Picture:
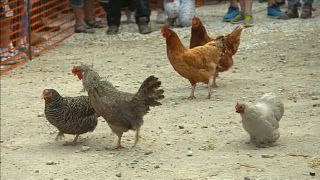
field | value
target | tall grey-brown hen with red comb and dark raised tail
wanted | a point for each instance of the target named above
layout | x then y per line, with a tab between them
123	111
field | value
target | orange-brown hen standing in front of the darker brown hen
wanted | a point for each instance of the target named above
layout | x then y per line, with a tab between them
197	64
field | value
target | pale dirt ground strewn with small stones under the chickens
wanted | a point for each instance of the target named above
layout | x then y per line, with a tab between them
182	139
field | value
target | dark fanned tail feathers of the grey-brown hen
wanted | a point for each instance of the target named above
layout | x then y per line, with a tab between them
149	91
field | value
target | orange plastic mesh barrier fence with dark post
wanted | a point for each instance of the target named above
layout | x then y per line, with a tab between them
29	28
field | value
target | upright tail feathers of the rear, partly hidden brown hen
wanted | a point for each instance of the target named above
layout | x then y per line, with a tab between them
232	40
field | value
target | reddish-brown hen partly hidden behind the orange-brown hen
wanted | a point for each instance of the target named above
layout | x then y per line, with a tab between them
230	43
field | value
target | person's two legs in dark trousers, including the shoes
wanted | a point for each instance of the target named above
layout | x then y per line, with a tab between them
113	9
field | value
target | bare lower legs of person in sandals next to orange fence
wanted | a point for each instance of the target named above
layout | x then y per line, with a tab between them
84	16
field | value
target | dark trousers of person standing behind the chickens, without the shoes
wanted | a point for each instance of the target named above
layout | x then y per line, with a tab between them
113	9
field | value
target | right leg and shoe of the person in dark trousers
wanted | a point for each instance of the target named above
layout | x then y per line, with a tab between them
143	13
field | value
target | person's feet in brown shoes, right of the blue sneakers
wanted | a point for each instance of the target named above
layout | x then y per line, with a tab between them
306	9
